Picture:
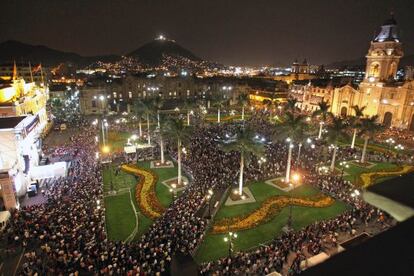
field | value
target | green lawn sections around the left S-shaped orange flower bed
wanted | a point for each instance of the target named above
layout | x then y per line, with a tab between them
120	218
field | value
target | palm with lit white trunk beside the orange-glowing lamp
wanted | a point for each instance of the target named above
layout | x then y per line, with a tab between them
291	130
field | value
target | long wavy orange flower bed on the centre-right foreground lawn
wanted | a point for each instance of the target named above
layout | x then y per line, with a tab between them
268	209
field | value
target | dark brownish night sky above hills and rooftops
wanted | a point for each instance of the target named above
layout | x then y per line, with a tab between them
243	32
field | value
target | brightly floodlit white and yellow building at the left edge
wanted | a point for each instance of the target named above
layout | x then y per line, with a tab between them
23	117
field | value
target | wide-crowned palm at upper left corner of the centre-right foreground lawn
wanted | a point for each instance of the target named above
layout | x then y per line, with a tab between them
245	143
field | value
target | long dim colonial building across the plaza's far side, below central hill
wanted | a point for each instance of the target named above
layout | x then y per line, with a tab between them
119	96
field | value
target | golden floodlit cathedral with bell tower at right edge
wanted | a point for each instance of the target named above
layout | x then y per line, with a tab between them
380	92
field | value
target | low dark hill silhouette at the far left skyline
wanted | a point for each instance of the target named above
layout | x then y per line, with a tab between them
12	50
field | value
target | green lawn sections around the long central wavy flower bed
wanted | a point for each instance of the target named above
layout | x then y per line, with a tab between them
214	246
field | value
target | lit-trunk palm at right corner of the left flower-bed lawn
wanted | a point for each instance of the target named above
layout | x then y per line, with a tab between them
176	129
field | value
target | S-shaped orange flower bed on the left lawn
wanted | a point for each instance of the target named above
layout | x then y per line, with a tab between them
145	191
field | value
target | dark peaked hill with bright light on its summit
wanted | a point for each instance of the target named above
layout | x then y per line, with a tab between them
155	52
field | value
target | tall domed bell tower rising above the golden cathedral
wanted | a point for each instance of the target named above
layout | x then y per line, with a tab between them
384	54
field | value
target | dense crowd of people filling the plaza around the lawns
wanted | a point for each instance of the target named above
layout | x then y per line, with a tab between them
66	235
